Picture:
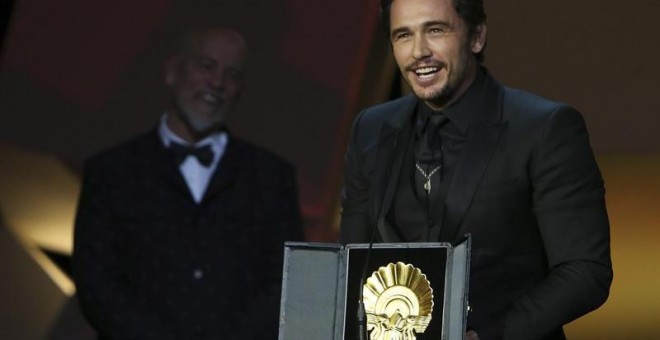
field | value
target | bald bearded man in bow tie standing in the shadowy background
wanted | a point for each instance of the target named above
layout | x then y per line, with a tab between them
180	231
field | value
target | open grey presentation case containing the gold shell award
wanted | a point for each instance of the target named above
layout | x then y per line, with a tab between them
410	291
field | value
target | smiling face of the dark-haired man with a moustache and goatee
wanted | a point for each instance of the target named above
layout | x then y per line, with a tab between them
432	47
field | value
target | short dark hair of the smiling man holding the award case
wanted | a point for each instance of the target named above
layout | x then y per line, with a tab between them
471	11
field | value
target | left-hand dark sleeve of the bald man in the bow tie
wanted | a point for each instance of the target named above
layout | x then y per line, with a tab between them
104	297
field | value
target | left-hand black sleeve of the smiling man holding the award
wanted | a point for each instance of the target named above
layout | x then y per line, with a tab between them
354	225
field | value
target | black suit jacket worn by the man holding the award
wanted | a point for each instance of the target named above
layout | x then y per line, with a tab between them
528	190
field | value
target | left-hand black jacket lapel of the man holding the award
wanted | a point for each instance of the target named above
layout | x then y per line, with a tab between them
393	142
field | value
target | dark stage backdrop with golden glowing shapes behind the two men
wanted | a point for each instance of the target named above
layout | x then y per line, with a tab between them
78	76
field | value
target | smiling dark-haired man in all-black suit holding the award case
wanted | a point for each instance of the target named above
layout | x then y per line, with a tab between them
467	155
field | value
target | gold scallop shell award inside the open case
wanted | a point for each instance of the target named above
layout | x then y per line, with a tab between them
398	301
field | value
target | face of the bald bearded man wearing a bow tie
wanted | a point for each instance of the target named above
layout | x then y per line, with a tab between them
206	80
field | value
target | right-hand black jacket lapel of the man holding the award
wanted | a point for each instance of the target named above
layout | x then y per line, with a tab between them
482	139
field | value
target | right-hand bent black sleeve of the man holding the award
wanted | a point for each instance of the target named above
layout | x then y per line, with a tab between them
569	205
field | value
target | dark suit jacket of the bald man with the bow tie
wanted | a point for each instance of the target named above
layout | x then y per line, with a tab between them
150	263
